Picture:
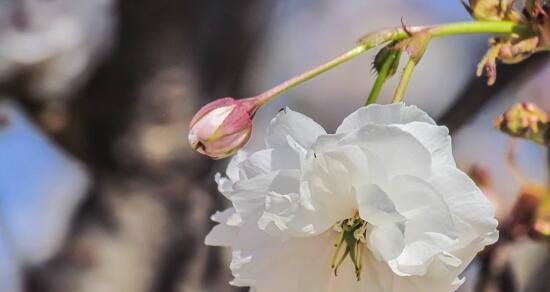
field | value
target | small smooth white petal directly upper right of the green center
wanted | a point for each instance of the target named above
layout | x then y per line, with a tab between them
375	206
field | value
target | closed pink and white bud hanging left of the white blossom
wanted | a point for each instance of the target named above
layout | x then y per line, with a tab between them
223	126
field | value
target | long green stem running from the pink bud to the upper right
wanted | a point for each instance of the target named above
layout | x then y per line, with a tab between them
395	34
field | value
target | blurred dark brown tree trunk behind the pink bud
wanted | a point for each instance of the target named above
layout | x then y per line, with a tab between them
143	227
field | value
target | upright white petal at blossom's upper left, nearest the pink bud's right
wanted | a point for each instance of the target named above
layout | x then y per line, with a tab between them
303	130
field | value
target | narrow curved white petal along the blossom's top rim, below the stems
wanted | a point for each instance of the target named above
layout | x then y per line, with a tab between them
383	115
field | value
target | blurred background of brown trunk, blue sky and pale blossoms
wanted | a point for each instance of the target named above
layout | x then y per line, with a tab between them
99	190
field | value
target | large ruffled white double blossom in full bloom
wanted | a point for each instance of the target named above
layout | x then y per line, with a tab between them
378	206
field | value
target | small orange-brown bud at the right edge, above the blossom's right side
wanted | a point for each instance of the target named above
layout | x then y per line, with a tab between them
525	120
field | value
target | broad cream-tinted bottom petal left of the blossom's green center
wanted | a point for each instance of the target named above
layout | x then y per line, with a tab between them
270	265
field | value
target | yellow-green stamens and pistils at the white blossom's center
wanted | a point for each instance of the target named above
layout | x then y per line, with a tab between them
352	236
